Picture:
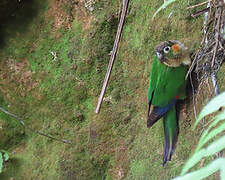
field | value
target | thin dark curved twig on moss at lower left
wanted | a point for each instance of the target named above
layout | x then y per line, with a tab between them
32	130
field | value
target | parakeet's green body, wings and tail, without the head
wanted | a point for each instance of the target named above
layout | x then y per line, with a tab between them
167	84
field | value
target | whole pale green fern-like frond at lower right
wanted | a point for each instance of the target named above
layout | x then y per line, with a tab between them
213	134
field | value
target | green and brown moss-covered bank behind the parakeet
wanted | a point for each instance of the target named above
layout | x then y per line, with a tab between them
58	94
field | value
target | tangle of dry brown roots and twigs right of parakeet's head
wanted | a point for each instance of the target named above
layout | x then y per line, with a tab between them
209	58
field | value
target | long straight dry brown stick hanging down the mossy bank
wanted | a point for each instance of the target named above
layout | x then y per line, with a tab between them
113	55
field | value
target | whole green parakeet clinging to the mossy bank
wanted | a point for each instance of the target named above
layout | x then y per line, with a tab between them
167	85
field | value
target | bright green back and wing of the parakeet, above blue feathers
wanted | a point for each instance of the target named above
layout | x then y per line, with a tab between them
165	83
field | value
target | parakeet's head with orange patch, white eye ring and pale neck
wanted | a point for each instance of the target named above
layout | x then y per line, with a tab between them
172	53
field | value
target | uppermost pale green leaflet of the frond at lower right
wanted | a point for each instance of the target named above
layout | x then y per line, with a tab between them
212	106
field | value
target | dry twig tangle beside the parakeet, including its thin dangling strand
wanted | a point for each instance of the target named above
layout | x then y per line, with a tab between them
210	53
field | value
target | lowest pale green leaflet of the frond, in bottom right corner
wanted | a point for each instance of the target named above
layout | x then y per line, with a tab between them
204	172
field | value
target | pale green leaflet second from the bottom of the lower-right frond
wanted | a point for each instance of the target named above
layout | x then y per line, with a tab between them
213	148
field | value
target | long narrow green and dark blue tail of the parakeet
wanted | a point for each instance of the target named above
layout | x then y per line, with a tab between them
171	131
